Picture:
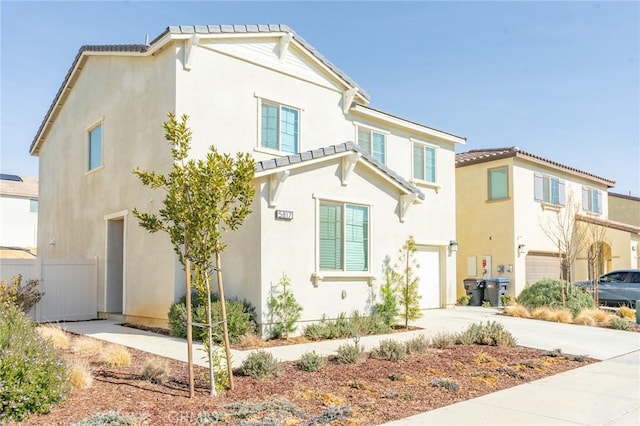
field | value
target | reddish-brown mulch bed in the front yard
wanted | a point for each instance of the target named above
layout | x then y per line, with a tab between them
368	393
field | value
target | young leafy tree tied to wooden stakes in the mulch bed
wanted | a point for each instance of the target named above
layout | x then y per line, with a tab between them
205	198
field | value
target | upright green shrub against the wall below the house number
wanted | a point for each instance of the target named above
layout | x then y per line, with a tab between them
284	309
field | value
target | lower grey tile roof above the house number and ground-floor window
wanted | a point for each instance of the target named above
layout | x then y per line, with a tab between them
275	163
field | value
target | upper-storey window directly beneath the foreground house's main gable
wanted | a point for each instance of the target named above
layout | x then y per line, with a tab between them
280	127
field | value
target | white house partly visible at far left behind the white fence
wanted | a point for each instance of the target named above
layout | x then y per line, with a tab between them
18	216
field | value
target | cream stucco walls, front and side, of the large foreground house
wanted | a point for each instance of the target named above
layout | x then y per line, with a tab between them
221	93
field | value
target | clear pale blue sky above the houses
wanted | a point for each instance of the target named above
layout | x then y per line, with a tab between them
558	79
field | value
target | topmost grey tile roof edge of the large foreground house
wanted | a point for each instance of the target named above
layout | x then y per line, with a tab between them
188	29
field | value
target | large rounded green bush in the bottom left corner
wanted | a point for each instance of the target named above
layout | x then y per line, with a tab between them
33	376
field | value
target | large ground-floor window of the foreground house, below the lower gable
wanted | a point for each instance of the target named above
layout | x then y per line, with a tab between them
344	237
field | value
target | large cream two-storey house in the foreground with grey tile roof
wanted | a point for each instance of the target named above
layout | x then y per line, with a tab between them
340	186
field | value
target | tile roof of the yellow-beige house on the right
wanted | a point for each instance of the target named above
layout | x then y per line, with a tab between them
476	156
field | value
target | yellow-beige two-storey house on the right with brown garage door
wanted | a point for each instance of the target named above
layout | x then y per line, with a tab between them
506	198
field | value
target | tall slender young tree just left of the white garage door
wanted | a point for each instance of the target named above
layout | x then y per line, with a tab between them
408	282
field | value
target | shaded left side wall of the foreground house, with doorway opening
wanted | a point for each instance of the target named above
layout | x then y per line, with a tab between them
130	96
